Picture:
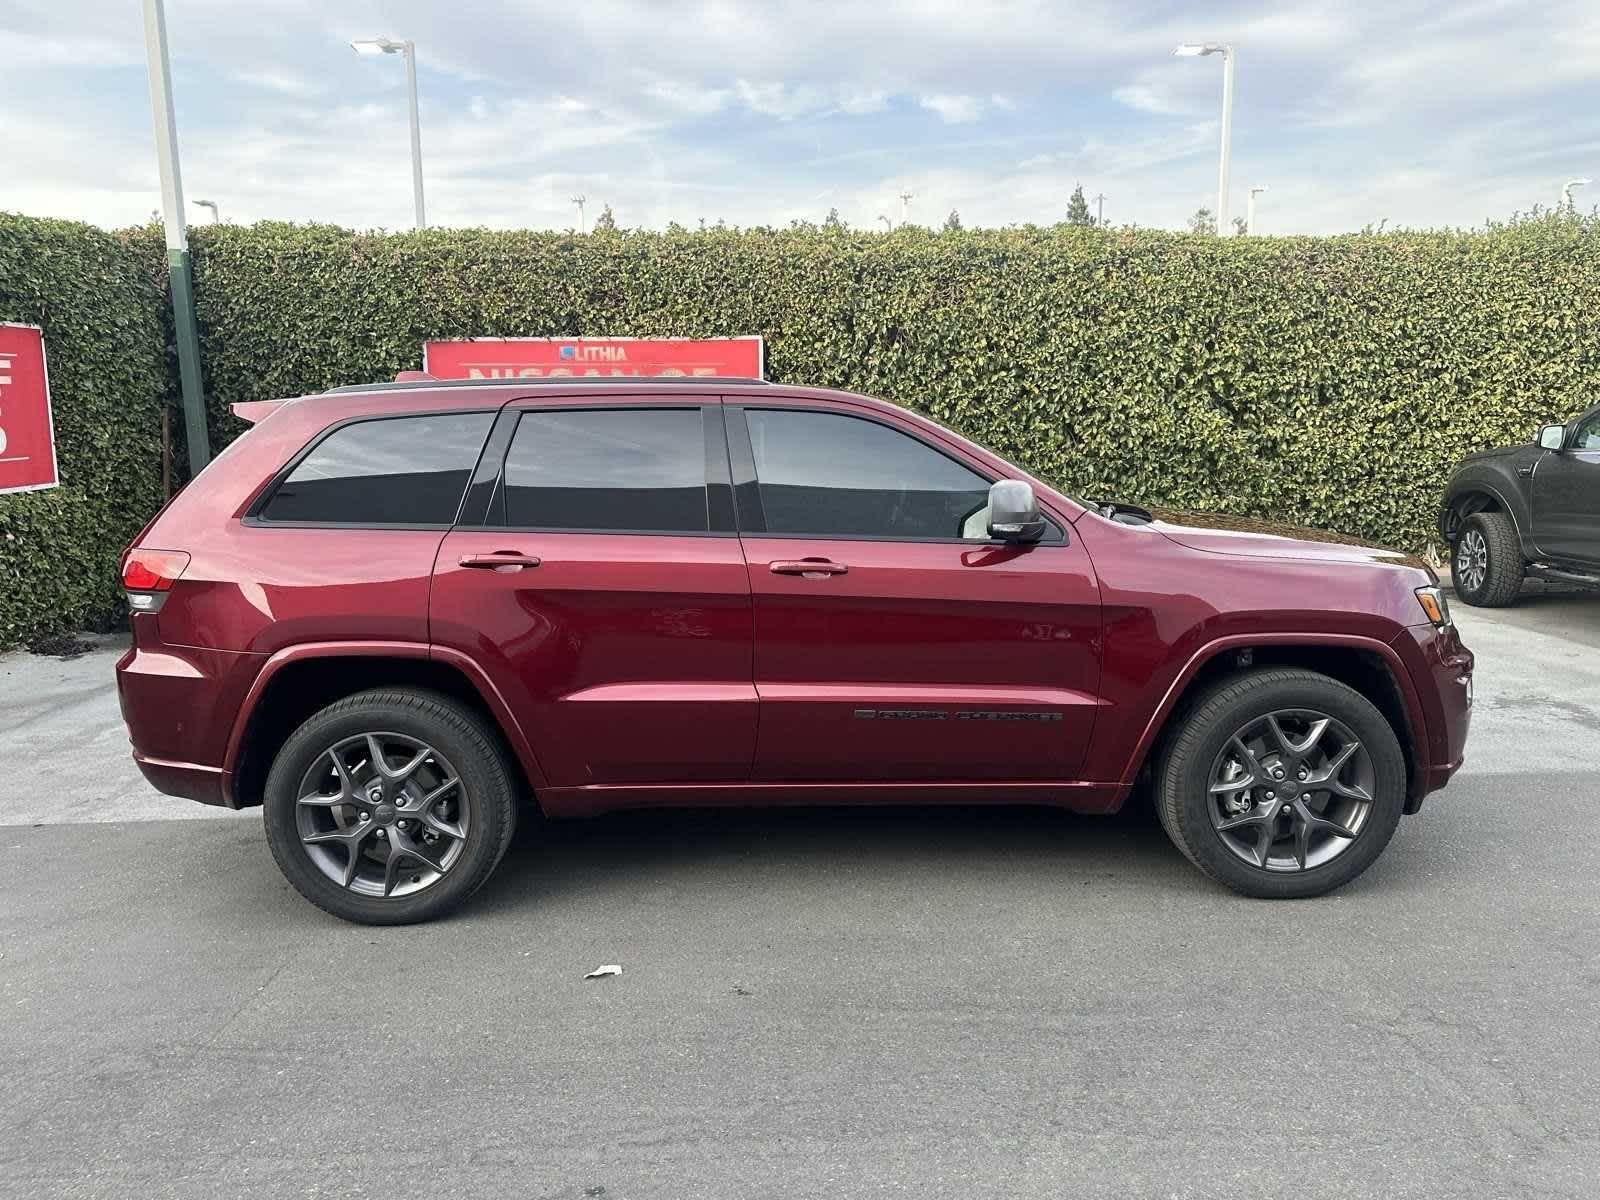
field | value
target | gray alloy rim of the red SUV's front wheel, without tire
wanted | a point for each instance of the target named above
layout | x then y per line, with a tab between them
1290	791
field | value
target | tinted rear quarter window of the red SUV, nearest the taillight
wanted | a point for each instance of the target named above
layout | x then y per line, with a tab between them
388	471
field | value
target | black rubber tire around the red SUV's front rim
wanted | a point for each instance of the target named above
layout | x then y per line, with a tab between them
1209	724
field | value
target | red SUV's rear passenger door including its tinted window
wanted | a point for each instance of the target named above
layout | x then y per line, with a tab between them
602	586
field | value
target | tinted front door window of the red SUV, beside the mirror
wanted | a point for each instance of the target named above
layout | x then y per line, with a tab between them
839	476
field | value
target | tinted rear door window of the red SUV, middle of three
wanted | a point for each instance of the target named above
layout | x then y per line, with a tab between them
609	470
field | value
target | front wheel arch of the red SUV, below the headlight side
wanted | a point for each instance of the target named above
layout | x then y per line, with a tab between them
1366	665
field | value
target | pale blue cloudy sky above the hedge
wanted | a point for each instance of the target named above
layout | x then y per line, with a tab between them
1422	113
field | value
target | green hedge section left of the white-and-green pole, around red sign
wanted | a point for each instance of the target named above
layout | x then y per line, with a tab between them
100	300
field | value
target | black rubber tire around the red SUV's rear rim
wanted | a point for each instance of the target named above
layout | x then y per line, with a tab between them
462	737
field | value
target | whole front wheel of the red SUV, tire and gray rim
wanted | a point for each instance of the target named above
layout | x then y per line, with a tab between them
1282	783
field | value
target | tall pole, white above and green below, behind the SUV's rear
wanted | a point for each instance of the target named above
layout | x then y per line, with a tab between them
186	330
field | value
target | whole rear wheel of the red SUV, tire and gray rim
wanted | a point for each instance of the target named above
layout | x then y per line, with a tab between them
390	807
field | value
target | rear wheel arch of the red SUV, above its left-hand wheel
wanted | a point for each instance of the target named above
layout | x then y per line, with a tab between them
300	681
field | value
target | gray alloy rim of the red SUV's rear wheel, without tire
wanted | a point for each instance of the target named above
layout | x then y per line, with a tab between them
383	815
